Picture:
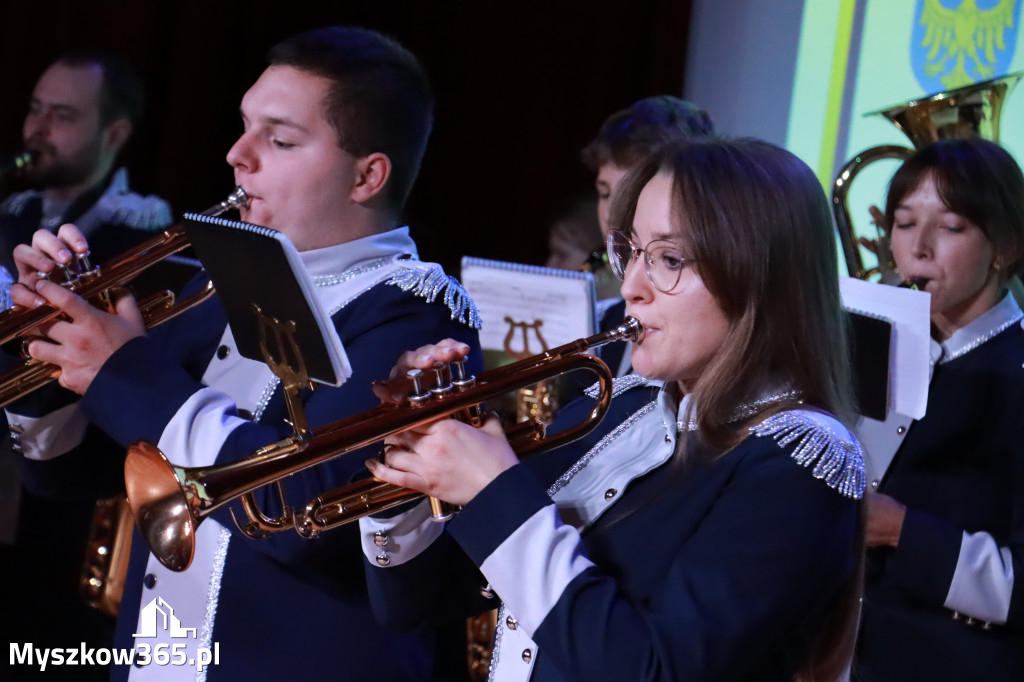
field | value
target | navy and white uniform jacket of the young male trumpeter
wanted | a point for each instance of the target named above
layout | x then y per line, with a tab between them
186	388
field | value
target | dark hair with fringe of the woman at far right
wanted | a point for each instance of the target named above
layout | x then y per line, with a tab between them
976	180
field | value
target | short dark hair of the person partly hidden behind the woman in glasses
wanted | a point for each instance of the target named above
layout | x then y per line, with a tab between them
631	135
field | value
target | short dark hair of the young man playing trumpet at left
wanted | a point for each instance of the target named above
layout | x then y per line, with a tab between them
380	101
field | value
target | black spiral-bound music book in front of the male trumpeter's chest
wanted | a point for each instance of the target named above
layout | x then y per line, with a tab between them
254	266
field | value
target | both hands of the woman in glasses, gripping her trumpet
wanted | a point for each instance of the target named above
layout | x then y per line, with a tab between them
448	460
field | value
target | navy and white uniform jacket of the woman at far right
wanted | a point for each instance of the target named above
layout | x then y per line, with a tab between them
948	604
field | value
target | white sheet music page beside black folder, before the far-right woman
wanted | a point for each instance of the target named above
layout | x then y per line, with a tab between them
909	312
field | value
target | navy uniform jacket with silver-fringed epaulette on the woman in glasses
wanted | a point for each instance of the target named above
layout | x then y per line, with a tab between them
611	564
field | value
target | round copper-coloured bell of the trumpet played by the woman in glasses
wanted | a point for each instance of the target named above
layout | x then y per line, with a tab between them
156	493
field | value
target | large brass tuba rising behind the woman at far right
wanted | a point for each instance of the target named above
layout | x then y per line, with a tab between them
972	111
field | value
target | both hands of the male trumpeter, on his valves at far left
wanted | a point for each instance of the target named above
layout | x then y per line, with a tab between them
82	342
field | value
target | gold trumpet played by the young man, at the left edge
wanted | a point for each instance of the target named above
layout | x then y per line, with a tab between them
95	285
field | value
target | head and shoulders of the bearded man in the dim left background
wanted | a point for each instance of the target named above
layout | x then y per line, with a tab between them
82	113
